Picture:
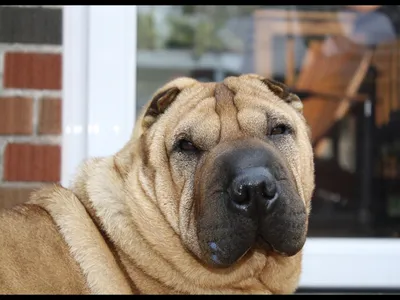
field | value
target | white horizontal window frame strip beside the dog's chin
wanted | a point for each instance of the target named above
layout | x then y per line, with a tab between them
351	263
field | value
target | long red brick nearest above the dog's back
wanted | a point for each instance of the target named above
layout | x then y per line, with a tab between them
28	162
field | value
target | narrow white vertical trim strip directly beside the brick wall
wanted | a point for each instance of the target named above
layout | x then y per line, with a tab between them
74	93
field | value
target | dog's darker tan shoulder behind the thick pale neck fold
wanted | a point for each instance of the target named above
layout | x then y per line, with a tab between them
34	253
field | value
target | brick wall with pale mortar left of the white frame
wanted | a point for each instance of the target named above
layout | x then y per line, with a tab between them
30	100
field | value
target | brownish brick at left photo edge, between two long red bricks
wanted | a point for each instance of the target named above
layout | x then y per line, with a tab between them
15	115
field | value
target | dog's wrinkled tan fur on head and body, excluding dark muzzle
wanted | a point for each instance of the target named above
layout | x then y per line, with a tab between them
124	225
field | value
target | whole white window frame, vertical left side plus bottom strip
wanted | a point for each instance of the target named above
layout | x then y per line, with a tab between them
99	100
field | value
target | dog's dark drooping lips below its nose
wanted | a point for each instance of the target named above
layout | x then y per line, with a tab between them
225	246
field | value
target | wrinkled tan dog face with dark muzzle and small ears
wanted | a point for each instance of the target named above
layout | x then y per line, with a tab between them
241	165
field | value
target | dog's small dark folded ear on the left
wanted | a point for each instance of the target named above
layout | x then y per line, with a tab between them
160	102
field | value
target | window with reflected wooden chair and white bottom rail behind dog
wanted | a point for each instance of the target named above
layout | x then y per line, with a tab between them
343	62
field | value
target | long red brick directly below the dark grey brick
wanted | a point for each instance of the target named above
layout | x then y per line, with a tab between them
32	71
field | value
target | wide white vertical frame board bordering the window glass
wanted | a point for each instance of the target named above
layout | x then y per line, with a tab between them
112	78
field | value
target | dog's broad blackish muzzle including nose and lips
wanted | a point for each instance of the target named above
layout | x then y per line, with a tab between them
251	200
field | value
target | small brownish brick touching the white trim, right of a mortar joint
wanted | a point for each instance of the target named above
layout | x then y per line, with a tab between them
49	116
